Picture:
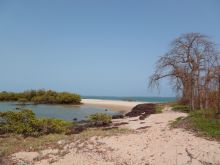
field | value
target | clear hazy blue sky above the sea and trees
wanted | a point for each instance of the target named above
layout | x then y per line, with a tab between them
95	47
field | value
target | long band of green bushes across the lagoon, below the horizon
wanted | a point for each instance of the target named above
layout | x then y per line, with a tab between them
41	97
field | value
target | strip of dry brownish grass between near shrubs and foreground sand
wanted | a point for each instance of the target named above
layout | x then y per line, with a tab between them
10	143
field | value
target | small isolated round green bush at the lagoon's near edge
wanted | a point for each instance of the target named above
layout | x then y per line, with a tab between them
102	117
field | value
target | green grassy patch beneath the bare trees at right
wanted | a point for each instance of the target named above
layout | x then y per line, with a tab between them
204	122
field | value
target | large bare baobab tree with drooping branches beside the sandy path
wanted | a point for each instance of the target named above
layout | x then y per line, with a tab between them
189	64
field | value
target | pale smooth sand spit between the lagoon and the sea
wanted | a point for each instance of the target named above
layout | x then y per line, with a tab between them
114	105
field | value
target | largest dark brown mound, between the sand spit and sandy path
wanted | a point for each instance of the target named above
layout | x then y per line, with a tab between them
142	110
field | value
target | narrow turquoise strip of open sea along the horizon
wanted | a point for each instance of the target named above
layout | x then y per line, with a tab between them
142	99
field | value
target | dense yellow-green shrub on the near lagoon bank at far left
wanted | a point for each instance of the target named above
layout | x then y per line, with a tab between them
26	123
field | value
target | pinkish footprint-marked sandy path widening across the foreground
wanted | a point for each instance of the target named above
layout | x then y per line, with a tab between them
157	144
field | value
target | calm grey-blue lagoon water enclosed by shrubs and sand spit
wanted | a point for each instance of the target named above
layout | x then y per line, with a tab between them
57	111
